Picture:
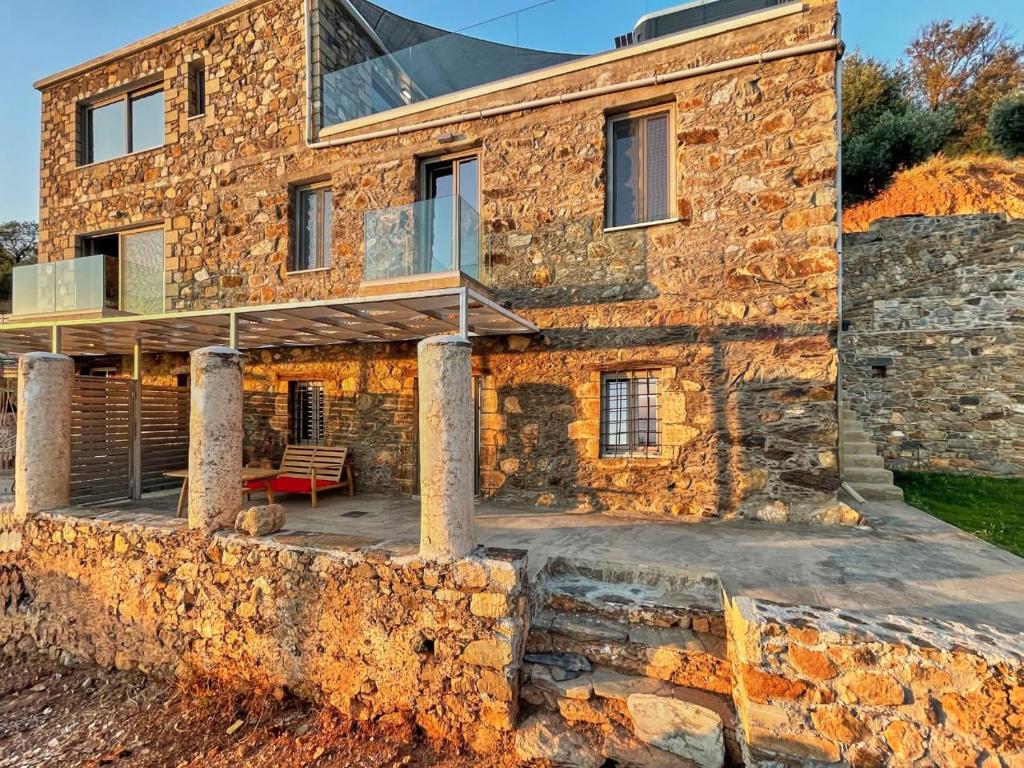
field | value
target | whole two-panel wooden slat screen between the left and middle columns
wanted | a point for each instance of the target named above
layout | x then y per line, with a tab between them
124	437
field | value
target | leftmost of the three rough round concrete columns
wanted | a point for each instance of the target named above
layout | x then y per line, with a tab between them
42	463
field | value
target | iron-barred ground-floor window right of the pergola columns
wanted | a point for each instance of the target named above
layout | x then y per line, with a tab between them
631	422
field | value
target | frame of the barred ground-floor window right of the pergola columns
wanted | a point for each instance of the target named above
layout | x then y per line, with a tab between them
635	448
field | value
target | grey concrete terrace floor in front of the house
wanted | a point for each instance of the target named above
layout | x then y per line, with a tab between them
907	564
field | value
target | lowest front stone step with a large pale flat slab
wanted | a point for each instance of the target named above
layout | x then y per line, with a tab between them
645	722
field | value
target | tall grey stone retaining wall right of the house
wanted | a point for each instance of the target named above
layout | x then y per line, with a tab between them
932	359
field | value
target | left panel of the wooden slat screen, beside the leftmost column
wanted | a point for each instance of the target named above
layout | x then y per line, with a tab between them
101	439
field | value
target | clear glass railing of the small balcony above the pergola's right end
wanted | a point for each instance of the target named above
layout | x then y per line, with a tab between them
425	238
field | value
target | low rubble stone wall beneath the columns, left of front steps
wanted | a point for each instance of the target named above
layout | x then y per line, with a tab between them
369	631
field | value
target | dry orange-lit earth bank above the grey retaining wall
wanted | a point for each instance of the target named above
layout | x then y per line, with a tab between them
943	186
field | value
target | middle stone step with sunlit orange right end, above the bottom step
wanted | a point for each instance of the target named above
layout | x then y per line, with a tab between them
675	655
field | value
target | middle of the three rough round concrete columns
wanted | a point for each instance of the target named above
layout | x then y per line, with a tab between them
216	439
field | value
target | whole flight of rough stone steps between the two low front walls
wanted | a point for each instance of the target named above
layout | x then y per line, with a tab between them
632	666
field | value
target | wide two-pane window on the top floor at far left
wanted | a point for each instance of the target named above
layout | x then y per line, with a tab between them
131	122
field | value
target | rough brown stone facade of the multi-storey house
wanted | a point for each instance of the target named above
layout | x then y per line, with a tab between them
734	303
